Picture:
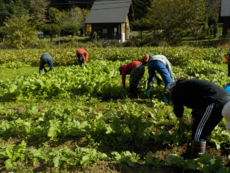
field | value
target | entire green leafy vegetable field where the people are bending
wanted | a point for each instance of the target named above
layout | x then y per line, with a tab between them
75	119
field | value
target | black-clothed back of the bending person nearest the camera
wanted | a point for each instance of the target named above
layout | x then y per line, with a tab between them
196	94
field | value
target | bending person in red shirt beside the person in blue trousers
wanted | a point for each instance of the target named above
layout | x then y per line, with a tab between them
136	70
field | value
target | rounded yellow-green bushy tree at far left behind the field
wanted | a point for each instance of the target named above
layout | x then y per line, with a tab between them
19	32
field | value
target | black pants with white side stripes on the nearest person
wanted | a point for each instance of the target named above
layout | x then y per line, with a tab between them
206	121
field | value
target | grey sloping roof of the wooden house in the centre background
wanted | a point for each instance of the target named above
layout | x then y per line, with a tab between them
113	11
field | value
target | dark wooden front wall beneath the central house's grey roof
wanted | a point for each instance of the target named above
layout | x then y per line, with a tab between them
107	31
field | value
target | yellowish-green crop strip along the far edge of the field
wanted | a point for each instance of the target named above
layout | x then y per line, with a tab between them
68	56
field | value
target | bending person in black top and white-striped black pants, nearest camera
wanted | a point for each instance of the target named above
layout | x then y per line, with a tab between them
209	104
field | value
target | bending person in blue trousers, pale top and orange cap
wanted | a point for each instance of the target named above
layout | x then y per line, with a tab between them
160	64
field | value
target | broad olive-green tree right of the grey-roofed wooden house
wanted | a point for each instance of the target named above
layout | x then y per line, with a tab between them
174	17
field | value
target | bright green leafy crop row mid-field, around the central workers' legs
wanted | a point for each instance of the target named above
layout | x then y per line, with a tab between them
100	79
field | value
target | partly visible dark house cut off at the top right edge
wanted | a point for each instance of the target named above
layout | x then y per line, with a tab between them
225	16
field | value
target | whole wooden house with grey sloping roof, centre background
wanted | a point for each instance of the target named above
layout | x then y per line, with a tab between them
111	19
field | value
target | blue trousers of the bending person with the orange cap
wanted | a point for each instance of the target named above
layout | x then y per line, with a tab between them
154	66
